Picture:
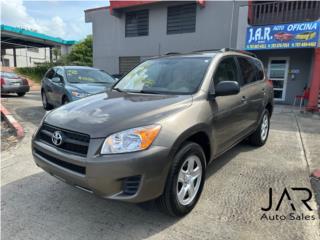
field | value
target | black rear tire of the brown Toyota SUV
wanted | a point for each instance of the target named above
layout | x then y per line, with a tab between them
257	138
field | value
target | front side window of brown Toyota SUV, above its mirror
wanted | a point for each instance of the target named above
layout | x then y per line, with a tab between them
226	71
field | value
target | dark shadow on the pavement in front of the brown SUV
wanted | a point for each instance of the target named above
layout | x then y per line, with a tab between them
45	205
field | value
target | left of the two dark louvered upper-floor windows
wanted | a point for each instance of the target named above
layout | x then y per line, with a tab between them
137	23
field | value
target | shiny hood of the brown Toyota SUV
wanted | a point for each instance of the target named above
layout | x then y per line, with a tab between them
105	113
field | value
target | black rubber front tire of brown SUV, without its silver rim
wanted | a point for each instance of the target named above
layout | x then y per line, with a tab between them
169	201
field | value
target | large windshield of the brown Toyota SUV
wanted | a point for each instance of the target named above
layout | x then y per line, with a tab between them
181	75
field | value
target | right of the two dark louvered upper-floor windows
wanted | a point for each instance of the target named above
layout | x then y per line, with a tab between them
181	19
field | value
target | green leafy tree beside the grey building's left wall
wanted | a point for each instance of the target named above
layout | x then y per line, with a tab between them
81	53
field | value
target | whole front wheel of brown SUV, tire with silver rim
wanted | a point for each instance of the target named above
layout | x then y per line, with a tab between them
185	180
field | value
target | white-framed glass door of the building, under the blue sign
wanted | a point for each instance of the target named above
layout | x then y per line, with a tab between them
278	74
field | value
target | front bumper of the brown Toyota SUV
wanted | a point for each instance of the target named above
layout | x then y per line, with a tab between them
105	175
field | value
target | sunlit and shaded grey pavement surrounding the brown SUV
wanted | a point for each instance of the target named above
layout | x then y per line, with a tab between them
35	205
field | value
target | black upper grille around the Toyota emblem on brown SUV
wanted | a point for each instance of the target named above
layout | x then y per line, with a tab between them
77	143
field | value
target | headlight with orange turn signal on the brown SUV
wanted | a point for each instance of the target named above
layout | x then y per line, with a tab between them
132	140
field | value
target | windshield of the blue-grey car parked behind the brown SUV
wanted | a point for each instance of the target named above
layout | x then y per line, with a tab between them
88	76
